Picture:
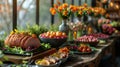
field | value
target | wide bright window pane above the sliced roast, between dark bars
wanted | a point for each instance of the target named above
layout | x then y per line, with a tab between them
26	13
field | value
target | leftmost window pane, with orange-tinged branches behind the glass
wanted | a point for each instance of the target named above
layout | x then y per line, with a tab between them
5	16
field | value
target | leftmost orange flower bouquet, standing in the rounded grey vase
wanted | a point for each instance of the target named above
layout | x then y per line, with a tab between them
64	10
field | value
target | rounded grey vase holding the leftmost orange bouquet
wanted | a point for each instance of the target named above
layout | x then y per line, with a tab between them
64	27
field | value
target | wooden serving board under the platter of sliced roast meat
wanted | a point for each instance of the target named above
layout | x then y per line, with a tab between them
19	59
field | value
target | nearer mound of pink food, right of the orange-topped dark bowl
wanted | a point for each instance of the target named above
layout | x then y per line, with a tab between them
87	39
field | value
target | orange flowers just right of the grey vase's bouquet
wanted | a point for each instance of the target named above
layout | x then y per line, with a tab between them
85	10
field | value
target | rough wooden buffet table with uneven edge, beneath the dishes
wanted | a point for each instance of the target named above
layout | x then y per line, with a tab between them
87	60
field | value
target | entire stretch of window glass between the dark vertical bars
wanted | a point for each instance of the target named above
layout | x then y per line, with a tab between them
26	13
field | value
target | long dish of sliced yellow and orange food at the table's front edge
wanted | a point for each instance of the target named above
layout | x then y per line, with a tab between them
54	59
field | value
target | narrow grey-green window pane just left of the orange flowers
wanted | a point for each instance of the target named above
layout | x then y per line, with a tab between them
44	12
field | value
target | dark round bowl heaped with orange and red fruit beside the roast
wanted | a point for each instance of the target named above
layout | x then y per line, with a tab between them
55	39
